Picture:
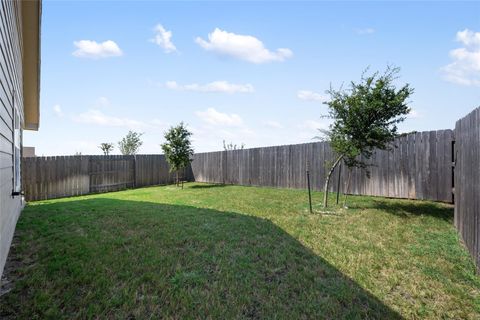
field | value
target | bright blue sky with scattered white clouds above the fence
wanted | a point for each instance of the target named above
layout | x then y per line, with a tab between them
252	72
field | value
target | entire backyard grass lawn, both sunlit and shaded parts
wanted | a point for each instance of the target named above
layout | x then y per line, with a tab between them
227	252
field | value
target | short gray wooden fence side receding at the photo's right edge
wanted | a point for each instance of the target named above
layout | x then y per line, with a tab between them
467	181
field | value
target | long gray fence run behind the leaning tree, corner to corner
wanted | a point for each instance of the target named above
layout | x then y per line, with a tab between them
419	166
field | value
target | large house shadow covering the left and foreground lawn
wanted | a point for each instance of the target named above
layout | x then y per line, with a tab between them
111	258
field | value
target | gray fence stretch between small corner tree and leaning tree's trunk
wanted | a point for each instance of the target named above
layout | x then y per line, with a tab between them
280	166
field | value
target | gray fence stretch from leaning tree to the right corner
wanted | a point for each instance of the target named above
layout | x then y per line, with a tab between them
419	166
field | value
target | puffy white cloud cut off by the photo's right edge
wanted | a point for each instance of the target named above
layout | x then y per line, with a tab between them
465	68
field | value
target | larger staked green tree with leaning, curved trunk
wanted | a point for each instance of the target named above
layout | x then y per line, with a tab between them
365	117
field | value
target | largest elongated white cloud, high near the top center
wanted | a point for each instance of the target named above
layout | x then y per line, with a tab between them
243	47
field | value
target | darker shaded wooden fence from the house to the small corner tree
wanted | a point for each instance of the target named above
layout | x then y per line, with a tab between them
64	176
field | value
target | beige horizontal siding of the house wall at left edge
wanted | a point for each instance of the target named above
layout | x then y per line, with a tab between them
10	83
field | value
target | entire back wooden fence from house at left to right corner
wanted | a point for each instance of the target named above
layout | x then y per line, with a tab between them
419	166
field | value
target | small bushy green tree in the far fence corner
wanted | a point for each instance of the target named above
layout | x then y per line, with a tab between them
177	148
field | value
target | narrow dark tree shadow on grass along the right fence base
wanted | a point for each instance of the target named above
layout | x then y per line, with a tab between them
405	209
